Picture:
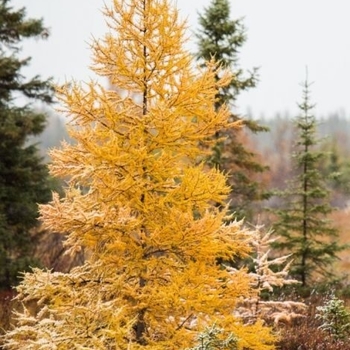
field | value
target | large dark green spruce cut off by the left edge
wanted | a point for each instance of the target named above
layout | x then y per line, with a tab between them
23	176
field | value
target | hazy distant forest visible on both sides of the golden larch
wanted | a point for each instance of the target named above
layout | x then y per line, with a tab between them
273	147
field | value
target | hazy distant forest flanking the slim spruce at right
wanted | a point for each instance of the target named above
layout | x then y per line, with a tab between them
276	148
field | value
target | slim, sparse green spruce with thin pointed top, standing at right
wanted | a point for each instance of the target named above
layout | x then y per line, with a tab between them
302	223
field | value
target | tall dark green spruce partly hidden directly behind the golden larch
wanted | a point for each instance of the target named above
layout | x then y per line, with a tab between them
222	38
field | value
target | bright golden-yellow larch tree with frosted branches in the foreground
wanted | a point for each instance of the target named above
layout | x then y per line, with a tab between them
148	219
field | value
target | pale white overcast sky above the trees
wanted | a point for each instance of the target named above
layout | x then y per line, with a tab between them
284	36
